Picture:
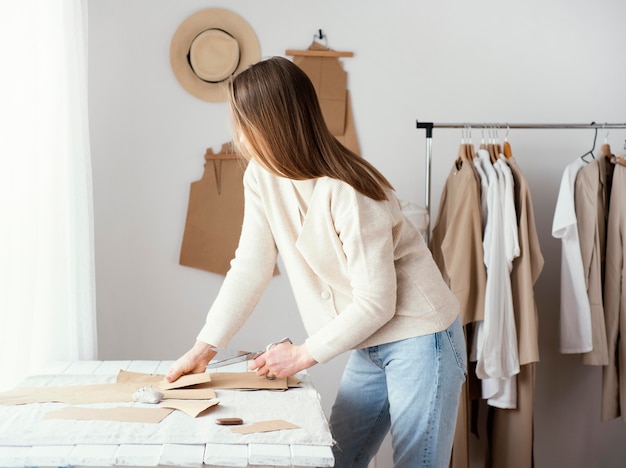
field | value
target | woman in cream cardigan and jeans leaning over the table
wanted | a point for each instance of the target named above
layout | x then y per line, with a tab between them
361	274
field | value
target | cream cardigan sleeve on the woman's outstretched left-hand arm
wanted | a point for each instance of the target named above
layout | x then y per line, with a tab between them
249	274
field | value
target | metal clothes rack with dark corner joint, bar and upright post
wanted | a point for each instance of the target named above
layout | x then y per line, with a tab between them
429	126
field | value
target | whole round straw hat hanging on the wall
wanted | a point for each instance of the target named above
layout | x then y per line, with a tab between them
208	48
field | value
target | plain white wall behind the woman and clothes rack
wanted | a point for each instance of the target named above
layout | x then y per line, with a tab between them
447	61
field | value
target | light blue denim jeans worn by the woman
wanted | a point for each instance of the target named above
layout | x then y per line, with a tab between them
411	386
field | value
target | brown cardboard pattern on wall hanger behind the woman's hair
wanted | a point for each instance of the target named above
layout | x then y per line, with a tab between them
330	81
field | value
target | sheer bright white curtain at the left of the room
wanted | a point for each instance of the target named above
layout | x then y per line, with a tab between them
47	280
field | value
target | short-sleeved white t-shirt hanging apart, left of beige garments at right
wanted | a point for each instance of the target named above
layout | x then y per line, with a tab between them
575	311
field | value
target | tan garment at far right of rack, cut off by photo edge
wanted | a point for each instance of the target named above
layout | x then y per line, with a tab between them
614	374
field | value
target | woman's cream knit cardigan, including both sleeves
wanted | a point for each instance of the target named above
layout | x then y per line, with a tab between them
360	272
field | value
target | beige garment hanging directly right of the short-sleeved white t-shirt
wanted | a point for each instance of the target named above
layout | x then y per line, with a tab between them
591	203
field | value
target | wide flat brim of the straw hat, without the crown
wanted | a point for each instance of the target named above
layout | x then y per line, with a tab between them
211	18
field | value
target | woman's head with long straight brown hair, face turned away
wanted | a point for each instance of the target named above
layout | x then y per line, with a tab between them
278	122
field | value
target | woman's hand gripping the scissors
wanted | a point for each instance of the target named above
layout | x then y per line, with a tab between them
282	360
